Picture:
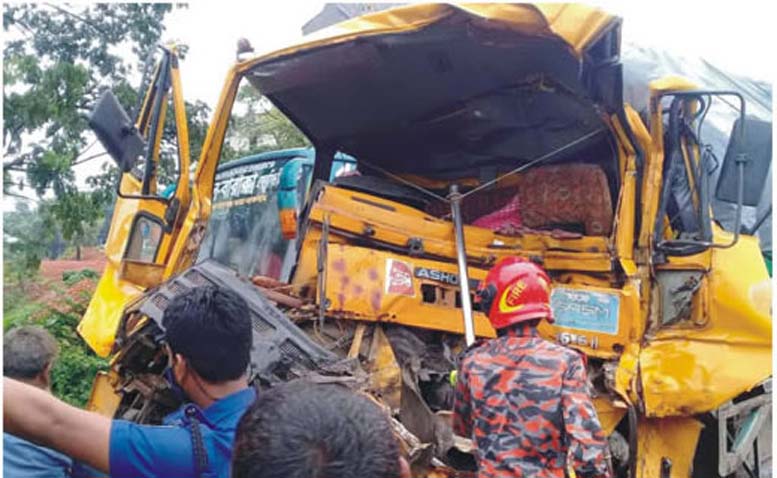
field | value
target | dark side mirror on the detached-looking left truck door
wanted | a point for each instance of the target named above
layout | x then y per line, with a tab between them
116	131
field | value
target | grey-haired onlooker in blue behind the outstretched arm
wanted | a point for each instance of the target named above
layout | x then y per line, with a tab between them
28	355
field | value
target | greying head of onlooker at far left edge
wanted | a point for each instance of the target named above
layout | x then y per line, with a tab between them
28	355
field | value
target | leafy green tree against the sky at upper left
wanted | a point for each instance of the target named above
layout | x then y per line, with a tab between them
57	62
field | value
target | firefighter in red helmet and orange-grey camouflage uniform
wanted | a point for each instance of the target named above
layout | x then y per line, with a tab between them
524	400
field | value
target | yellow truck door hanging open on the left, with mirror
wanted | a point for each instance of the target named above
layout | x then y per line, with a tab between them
147	217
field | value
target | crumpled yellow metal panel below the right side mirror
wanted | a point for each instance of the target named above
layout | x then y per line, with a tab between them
693	369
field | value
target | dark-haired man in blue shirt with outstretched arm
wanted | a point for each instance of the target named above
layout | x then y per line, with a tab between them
208	331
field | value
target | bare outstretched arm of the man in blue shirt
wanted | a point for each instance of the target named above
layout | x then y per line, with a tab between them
37	416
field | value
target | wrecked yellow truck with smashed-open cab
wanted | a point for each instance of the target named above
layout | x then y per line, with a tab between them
455	113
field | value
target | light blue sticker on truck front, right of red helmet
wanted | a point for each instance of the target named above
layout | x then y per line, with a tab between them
585	310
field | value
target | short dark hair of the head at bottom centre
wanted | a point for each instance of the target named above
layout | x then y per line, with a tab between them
304	430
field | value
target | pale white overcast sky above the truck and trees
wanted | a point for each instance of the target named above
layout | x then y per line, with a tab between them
734	36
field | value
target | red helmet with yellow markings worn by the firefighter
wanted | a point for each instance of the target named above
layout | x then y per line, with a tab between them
515	290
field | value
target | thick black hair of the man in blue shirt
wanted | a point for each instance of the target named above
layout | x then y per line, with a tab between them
211	327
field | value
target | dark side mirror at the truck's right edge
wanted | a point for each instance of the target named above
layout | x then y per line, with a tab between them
755	148
